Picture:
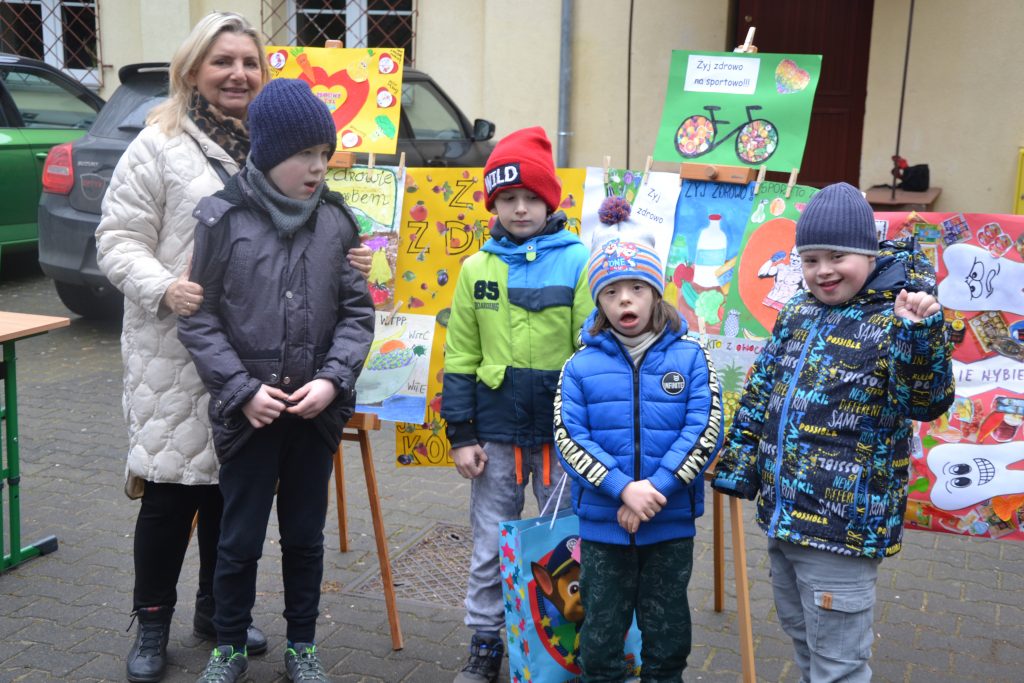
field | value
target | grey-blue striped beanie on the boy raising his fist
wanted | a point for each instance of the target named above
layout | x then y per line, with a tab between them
838	218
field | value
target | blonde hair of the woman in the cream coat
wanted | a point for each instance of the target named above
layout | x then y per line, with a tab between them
170	114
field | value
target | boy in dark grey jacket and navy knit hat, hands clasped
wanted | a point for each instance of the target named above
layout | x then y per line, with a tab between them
279	341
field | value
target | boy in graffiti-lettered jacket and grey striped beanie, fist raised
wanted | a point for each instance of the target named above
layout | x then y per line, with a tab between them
823	435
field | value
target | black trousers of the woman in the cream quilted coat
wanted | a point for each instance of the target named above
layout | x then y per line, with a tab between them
162	538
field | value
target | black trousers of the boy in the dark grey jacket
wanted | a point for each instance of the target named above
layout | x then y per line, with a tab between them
291	455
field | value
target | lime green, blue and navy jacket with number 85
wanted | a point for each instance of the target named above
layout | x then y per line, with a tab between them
516	319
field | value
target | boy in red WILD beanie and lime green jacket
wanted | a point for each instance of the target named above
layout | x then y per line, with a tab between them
517	315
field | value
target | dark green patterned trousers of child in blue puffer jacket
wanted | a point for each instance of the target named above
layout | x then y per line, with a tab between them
652	580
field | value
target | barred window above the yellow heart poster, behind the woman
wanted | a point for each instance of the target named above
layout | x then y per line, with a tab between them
356	23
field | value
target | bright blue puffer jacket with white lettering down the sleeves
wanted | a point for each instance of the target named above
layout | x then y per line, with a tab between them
617	423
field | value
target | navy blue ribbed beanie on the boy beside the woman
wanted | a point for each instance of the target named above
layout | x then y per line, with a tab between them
286	118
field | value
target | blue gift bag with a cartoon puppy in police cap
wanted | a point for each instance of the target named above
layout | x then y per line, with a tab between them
540	561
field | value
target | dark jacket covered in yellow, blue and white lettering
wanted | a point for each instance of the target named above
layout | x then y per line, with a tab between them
824	431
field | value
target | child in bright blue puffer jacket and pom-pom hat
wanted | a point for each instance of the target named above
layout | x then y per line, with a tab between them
638	418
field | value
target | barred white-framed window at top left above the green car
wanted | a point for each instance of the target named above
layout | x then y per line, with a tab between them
61	33
